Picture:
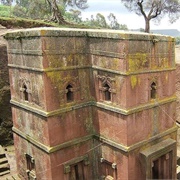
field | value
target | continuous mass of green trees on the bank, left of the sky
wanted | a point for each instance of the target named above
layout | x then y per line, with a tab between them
56	10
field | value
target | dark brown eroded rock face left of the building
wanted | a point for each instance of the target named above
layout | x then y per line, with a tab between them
5	109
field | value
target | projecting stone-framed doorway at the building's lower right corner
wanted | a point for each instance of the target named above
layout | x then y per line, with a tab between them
159	161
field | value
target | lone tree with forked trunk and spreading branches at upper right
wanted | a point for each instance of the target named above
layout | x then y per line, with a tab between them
154	9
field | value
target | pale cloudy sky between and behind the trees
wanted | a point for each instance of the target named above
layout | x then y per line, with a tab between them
124	16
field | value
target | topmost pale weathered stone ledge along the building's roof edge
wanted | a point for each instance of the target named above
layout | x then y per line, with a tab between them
73	32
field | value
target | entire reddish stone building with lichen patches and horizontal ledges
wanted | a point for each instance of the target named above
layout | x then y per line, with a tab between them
92	104
